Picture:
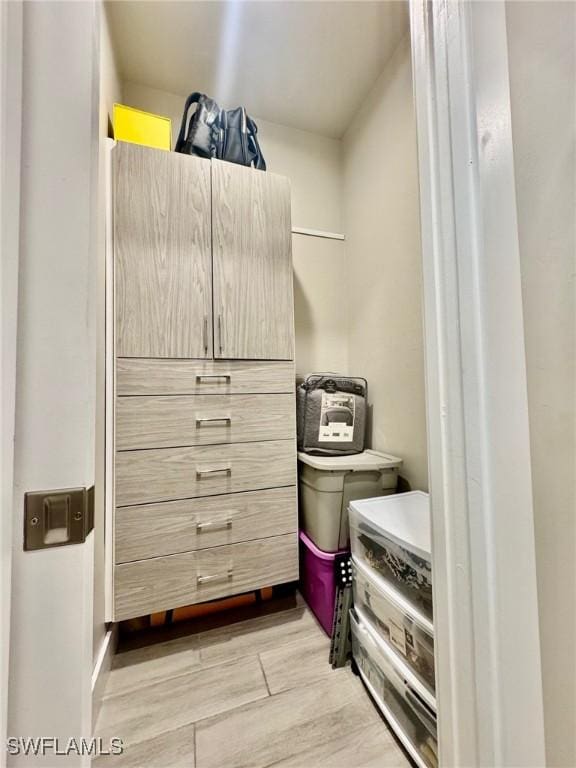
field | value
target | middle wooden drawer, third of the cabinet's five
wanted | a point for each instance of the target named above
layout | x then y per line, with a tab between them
166	474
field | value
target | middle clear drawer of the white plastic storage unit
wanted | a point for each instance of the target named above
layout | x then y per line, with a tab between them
406	630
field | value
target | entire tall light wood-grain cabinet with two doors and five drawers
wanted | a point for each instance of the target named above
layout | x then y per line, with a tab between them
205	456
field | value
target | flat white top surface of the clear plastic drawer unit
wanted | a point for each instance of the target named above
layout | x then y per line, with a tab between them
402	517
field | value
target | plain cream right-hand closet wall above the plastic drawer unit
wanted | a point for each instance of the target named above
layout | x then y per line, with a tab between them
383	288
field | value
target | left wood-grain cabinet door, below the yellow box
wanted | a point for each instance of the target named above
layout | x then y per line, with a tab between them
163	262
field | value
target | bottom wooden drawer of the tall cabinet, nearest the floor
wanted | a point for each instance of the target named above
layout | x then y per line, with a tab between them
146	586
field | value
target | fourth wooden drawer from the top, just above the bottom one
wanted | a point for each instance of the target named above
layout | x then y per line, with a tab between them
151	530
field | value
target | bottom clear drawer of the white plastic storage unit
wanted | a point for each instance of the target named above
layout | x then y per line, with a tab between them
406	704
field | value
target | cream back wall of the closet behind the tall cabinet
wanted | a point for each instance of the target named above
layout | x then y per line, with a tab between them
313	165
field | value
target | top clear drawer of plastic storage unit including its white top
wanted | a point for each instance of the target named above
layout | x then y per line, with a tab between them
391	535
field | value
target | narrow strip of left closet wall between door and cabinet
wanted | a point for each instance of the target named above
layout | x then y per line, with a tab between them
110	92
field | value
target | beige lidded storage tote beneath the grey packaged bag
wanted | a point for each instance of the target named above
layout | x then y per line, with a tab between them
328	484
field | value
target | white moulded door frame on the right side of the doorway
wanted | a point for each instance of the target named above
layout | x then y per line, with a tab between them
486	613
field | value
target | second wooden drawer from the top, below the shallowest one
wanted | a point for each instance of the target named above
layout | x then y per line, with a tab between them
171	421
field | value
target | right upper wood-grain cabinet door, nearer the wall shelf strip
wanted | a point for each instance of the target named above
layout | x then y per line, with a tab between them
252	259
